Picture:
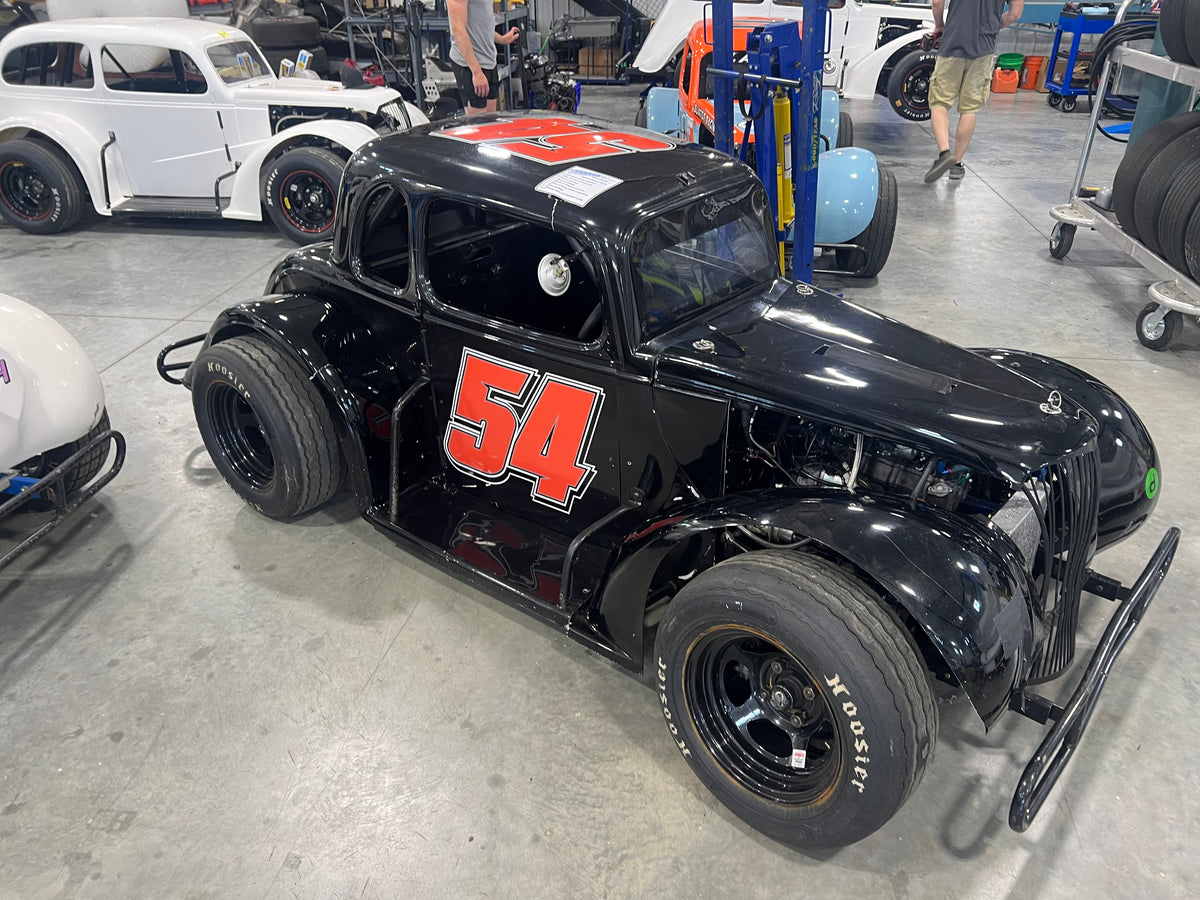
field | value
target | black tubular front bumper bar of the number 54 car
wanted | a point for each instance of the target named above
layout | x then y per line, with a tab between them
1070	722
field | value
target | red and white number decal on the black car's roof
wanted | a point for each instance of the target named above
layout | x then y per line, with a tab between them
555	142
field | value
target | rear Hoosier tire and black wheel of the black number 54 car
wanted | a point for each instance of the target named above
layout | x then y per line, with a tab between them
266	427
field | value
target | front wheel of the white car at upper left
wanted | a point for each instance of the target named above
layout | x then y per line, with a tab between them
301	193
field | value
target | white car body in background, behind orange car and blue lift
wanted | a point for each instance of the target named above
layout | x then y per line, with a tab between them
853	64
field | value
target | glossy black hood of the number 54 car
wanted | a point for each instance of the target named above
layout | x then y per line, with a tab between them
808	352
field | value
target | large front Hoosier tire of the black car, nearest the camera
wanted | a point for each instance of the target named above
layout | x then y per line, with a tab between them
775	653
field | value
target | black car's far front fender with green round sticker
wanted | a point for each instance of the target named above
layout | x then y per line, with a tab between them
1130	467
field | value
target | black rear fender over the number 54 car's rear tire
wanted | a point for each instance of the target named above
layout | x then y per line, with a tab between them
295	323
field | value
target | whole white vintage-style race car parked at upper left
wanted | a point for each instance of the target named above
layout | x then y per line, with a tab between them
173	118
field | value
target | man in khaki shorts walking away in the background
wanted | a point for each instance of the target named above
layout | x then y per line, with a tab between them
965	40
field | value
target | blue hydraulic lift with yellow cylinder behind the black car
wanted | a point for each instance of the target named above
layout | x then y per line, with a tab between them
781	62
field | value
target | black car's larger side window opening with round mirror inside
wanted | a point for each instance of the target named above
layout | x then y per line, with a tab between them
488	263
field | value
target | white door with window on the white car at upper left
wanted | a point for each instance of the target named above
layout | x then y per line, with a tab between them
166	121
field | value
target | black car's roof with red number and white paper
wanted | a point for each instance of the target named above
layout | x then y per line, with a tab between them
489	158
